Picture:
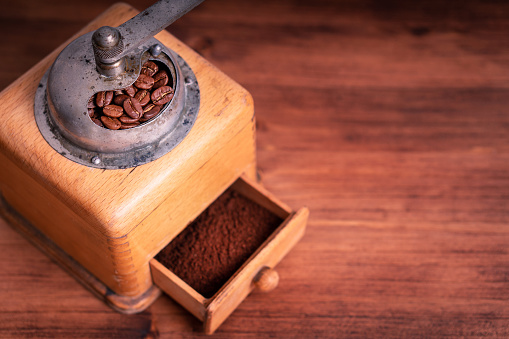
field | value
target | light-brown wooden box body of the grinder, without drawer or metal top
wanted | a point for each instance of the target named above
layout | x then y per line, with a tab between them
112	222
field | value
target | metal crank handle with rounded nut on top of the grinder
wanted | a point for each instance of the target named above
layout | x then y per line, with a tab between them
112	44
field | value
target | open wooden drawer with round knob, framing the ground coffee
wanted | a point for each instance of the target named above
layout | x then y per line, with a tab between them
255	272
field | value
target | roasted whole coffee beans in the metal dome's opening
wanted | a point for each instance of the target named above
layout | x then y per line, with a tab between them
136	104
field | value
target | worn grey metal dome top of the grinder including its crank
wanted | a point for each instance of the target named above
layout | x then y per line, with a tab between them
61	99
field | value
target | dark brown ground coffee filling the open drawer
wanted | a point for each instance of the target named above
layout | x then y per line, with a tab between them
215	245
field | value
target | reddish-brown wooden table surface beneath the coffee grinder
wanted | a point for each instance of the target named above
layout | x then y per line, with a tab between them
388	119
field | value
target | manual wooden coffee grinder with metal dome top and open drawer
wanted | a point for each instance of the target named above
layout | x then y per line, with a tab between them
103	202
